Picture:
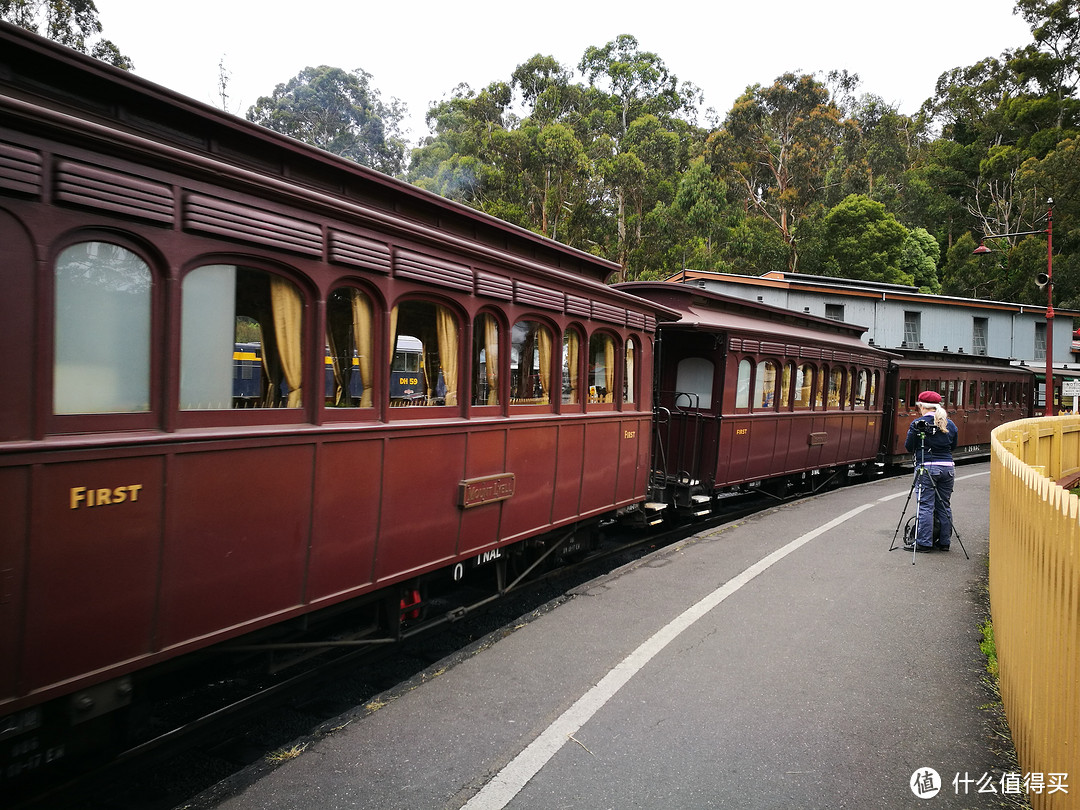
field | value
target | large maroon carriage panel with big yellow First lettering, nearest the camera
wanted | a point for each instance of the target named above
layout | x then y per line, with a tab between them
94	560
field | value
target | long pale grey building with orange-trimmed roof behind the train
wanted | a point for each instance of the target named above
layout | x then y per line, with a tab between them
900	317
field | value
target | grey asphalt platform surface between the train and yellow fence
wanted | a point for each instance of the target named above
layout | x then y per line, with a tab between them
789	660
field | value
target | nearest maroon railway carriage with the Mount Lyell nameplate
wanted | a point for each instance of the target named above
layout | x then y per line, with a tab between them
145	515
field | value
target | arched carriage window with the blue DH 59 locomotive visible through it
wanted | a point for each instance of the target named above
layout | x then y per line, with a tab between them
424	369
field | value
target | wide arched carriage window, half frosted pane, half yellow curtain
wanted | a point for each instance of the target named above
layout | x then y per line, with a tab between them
221	305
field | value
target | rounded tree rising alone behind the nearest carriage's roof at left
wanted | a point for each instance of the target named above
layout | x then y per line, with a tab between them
340	112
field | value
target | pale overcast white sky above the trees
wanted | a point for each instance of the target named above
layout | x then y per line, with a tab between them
418	51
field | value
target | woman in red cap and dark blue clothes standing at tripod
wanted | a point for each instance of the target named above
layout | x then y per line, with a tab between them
931	439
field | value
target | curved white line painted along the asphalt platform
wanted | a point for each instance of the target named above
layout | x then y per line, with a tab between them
508	784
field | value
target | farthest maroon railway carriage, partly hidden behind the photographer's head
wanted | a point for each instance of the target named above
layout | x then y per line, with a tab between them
979	393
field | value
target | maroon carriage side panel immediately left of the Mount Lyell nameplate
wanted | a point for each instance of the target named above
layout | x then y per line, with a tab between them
420	517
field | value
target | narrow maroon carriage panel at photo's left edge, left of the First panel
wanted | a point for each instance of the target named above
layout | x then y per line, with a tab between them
15	519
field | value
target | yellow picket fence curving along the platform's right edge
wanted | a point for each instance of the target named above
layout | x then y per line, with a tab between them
1035	599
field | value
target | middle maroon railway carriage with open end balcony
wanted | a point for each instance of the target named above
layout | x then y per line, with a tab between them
757	394
